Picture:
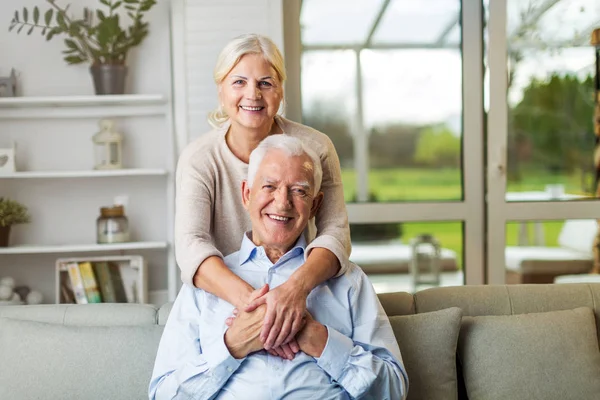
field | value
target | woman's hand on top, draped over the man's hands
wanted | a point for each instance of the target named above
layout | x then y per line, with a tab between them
286	305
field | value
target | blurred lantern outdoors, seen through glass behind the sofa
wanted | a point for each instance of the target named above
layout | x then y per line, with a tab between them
426	257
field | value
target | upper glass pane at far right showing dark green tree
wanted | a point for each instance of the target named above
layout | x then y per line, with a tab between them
550	99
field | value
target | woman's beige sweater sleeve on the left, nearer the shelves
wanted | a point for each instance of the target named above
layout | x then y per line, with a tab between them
193	217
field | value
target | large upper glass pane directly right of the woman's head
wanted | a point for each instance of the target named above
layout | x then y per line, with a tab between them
384	80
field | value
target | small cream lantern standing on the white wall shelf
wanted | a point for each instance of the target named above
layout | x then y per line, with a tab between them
107	146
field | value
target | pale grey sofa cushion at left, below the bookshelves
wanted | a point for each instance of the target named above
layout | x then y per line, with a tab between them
48	360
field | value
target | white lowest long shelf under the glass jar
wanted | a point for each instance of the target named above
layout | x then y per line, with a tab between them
82	248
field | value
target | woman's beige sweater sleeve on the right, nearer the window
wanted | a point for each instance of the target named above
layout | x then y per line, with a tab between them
333	232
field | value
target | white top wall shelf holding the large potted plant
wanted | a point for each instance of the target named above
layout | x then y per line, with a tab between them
104	106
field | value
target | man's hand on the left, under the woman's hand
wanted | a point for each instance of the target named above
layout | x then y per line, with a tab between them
242	338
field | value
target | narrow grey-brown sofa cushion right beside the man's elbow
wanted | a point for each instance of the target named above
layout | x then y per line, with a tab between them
428	346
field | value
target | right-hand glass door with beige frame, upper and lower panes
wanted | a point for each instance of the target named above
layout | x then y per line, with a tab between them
541	139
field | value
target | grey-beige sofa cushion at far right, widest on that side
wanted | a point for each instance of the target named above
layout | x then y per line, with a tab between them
550	355
